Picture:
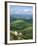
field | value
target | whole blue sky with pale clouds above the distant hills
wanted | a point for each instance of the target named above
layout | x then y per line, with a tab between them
14	9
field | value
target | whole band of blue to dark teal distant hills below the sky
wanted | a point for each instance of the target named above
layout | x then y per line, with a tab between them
25	17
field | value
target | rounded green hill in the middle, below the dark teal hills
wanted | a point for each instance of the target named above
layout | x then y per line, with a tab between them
19	24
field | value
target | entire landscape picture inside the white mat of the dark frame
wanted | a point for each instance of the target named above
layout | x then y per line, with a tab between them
21	23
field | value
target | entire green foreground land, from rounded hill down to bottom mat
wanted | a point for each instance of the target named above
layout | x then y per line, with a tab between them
20	30
